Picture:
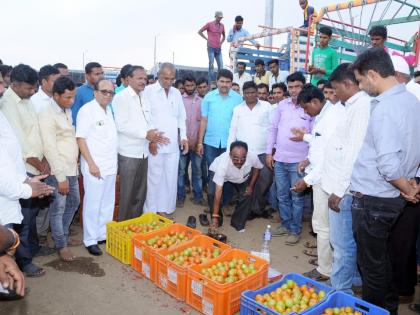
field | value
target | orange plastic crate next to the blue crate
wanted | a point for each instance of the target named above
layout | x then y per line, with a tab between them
212	298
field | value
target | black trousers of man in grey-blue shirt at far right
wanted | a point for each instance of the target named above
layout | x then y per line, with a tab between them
373	222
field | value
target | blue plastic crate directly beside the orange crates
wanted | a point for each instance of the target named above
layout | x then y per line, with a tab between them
249	306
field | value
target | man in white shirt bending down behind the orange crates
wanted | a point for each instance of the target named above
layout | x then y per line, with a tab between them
237	170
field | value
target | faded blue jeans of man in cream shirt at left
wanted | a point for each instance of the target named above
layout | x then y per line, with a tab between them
62	210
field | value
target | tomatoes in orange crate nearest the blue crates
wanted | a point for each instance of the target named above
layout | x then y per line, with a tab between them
229	271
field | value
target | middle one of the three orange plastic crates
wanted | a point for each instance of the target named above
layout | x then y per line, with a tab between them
171	277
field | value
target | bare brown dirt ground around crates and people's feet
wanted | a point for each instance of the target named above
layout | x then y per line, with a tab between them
102	285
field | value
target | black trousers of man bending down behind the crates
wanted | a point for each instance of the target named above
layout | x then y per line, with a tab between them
243	207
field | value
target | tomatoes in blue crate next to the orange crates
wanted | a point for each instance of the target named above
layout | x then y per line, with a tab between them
291	298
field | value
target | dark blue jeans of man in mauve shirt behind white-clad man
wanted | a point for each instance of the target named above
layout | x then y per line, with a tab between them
195	176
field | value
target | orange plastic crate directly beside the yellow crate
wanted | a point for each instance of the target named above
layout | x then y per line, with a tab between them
144	255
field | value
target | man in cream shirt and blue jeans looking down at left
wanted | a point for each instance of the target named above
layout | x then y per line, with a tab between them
61	150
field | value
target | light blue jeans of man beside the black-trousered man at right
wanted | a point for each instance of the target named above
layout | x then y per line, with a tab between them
344	272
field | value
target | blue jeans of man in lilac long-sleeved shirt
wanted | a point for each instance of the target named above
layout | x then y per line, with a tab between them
290	203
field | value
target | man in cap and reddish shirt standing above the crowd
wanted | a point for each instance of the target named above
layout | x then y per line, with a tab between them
215	38
